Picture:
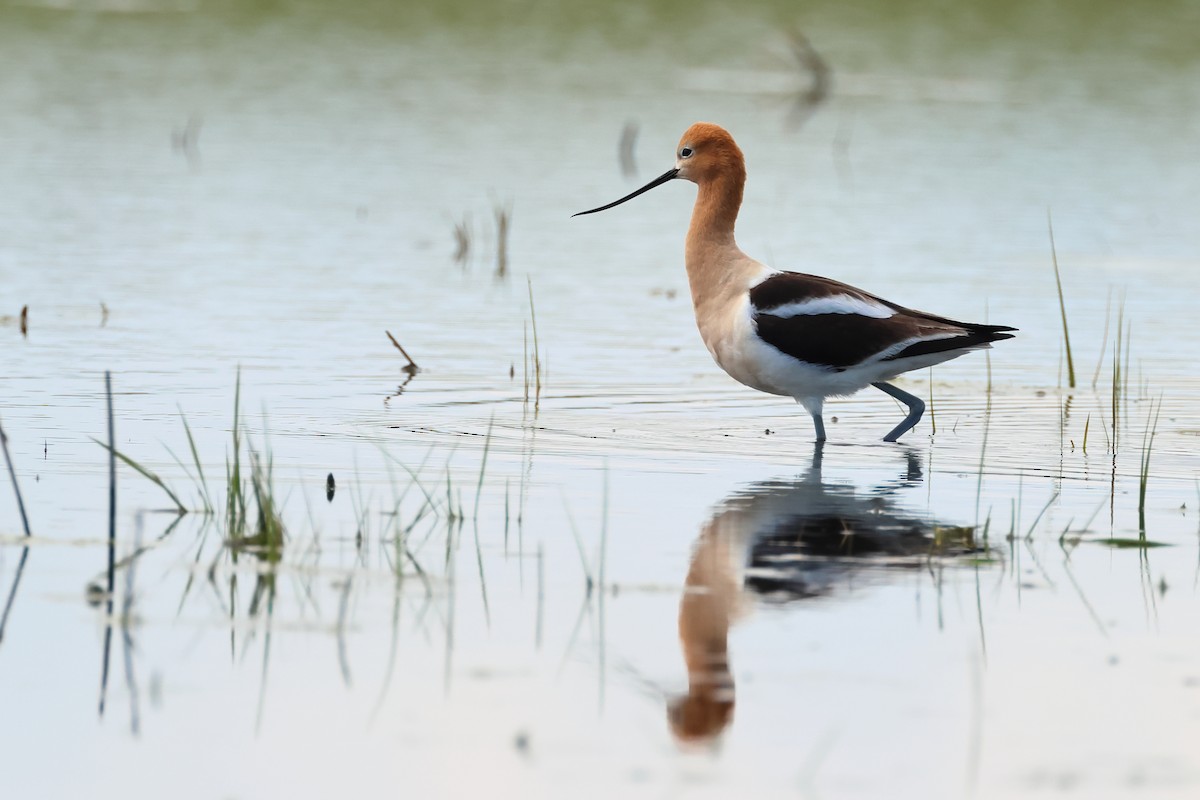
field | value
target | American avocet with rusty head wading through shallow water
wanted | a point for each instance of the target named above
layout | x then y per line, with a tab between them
801	336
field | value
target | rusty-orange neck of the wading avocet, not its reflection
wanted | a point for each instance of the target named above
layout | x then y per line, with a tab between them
711	248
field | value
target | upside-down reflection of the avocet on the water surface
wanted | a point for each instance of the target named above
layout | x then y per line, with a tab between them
783	542
